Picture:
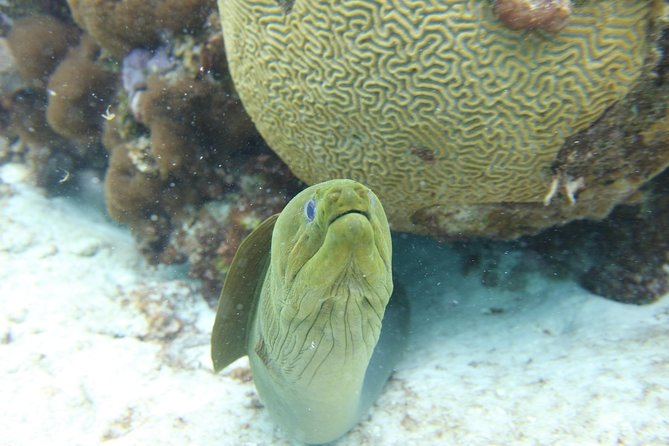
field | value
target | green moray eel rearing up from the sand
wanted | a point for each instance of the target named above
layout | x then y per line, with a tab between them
305	299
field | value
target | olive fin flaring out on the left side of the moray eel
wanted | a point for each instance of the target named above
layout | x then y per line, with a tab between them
238	301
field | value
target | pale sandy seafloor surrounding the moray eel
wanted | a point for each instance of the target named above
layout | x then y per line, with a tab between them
96	347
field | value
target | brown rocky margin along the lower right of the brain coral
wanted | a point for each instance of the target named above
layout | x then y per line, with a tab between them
595	170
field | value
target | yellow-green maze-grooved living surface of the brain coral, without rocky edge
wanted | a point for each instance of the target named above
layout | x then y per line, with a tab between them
433	104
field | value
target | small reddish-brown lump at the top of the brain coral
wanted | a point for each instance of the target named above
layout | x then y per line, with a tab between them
548	15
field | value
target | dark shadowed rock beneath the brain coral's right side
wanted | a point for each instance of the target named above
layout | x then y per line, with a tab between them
624	257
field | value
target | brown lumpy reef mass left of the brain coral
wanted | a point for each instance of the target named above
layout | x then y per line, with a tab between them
154	112
